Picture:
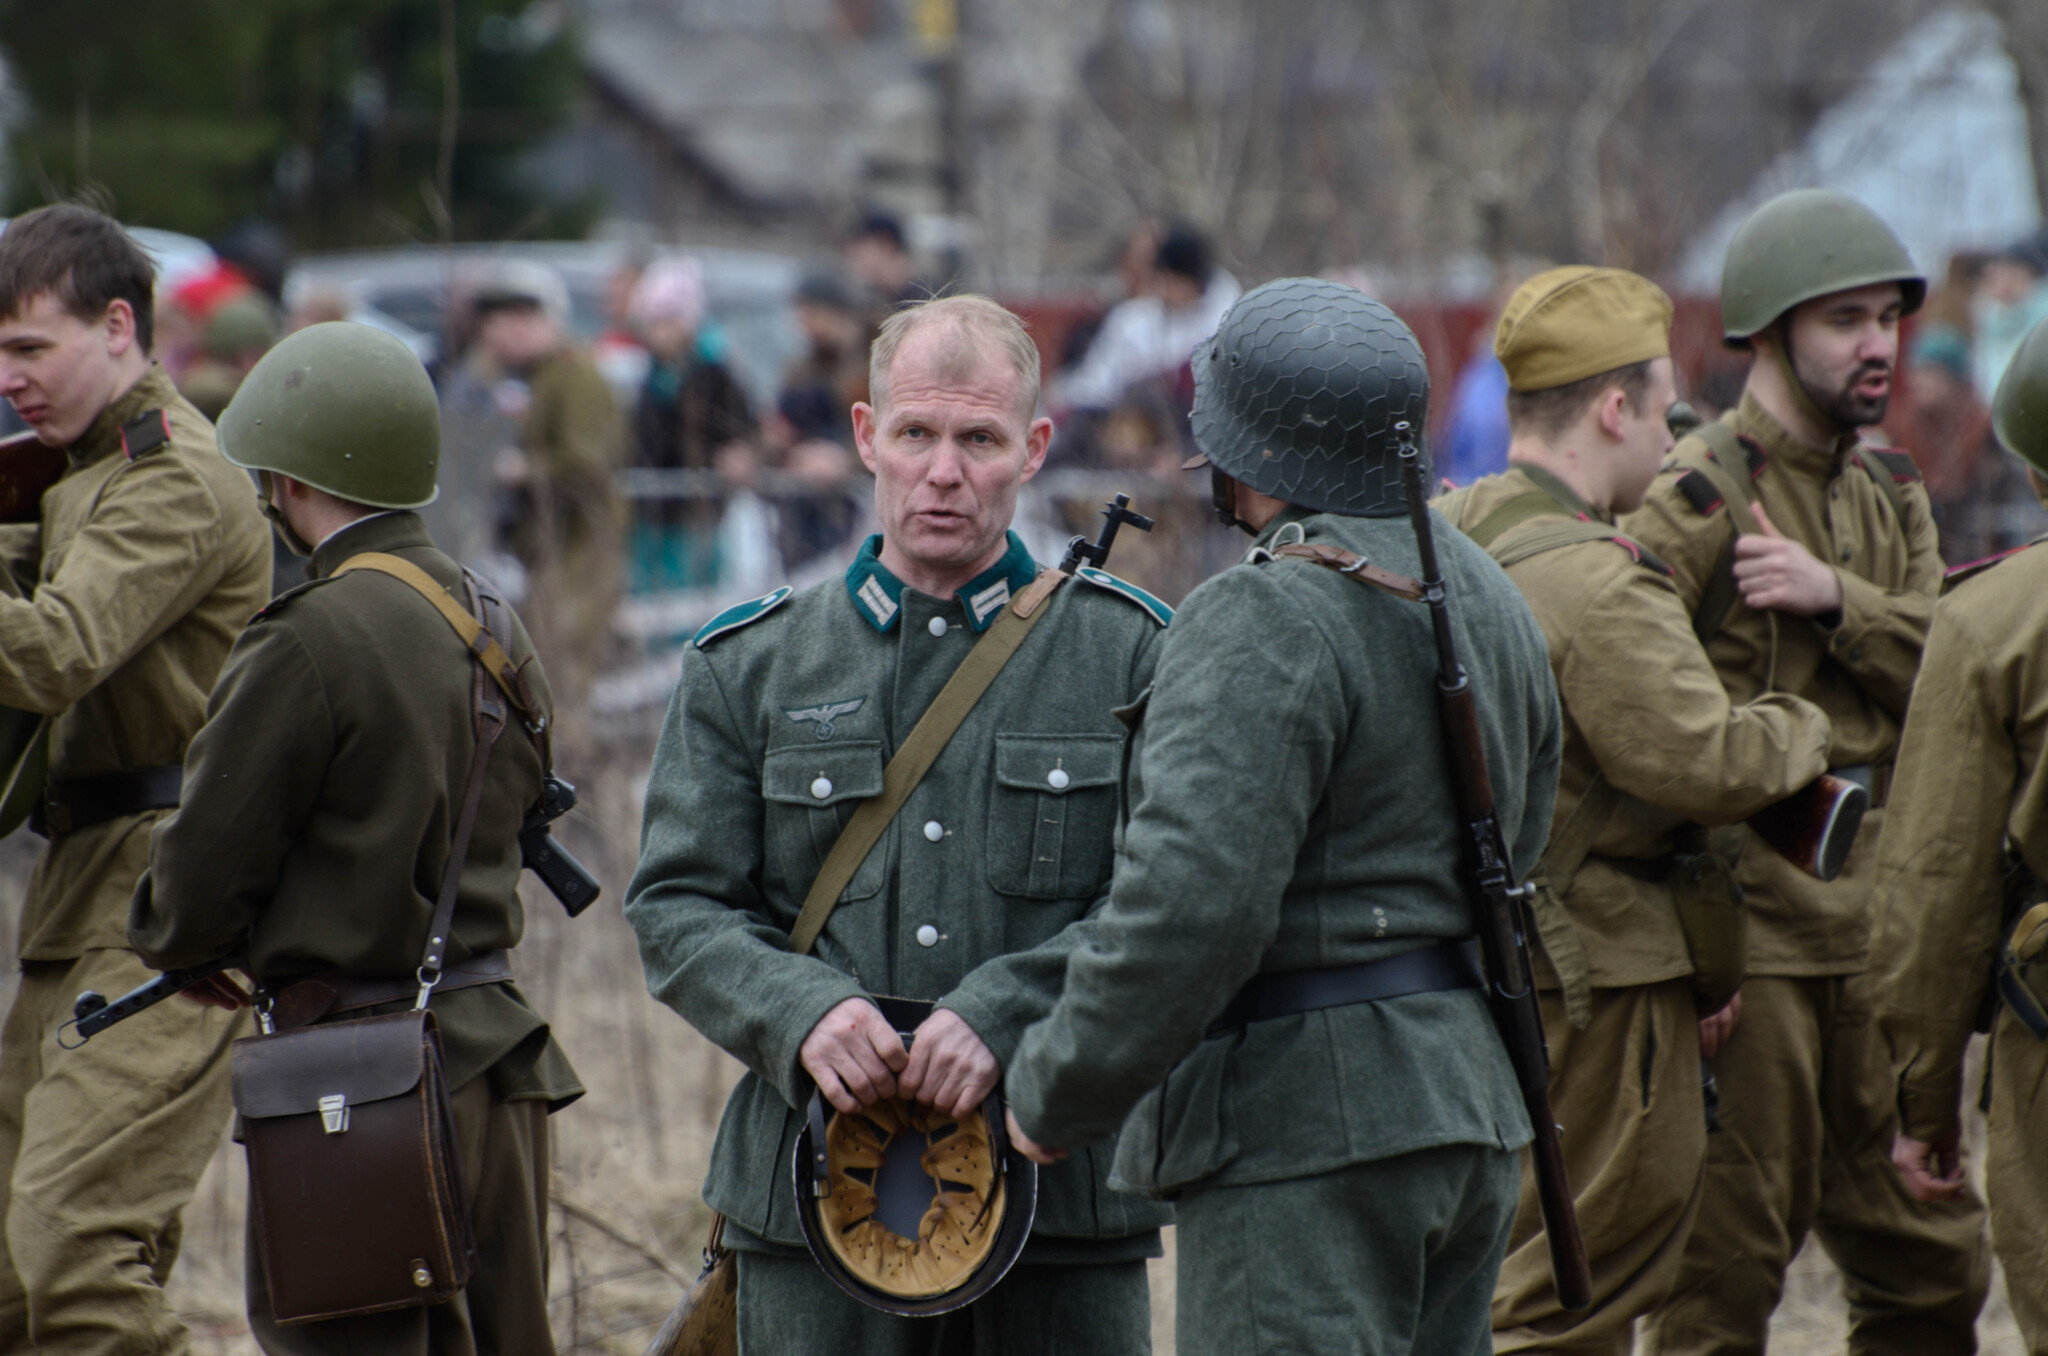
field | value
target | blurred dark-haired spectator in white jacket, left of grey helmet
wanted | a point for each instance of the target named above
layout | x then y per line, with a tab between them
1152	335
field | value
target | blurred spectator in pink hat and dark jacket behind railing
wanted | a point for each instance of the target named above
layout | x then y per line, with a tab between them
691	415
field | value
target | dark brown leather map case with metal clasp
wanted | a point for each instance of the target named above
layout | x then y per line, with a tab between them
355	1179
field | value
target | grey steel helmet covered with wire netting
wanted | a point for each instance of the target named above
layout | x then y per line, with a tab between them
1299	392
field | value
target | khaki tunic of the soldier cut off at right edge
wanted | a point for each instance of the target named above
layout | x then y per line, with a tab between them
1973	777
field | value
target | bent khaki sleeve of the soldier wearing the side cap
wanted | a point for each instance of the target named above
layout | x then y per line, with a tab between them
1660	724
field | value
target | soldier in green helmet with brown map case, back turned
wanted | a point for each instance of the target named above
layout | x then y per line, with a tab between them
329	783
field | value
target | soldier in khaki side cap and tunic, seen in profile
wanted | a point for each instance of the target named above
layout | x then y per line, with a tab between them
1652	751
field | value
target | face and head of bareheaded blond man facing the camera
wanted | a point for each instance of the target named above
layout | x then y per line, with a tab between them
947	452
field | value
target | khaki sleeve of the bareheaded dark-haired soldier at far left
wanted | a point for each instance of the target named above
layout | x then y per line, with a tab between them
146	558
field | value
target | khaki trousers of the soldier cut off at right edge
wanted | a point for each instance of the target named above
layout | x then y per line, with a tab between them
2016	1167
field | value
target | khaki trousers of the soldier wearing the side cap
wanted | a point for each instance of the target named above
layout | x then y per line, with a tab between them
1627	1093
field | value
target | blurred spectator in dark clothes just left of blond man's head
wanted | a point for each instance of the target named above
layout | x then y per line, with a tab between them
812	427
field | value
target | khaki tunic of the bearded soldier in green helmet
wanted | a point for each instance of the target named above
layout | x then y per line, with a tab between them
1857	669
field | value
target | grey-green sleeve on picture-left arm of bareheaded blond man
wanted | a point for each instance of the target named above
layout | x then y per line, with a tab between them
706	937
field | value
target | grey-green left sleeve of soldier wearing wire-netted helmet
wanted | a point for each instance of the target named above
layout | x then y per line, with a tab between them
1207	857
